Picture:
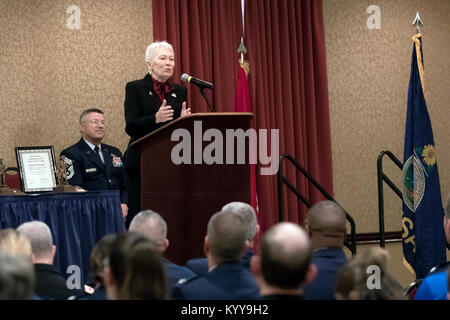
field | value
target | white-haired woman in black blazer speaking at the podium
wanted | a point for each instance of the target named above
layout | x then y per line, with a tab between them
150	103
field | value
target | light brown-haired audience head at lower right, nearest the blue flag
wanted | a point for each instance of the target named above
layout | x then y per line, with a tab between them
365	277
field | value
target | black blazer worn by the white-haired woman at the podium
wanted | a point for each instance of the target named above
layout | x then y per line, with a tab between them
141	105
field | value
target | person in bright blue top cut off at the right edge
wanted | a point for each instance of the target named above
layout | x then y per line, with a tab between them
434	285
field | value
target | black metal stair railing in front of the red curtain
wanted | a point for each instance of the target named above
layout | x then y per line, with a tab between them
282	180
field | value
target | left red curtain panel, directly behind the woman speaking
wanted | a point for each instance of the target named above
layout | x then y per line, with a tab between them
205	35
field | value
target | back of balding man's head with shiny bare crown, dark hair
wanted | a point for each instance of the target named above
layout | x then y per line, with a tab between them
284	264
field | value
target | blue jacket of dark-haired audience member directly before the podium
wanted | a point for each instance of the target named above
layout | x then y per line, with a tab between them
227	281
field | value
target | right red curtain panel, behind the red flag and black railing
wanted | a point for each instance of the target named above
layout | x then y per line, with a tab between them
289	92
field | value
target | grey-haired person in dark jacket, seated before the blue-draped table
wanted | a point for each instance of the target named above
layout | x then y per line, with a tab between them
49	282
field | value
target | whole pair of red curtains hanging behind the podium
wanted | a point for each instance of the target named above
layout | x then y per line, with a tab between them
287	80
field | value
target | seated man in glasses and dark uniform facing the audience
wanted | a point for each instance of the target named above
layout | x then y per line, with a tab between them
95	165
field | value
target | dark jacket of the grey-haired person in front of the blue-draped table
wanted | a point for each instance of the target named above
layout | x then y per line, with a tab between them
51	285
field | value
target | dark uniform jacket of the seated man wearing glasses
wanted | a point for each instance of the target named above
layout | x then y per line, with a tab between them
91	174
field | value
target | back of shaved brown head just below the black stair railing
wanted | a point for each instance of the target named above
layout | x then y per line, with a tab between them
326	224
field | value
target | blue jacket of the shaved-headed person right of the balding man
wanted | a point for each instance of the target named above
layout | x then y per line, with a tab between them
328	262
